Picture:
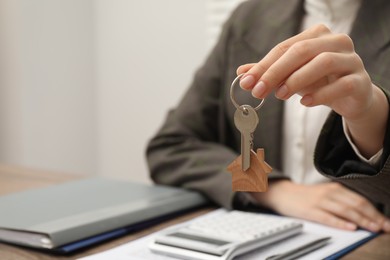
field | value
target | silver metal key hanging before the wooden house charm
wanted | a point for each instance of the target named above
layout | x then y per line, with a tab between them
246	121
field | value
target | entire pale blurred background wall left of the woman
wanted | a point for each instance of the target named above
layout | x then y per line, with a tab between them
84	84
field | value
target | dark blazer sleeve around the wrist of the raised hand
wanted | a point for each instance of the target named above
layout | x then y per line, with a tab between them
335	158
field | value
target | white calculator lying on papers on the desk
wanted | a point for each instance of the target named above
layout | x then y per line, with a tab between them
224	235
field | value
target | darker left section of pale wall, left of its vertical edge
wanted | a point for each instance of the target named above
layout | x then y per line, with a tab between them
47	96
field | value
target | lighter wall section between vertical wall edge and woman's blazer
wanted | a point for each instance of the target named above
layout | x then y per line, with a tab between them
147	52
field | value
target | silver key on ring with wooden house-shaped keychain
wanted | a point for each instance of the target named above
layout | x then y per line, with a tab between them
249	171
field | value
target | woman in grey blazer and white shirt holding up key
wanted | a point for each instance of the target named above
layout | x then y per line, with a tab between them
326	88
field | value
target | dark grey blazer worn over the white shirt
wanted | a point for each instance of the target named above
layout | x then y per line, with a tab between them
198	139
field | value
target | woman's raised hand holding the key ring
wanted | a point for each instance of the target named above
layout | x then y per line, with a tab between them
324	69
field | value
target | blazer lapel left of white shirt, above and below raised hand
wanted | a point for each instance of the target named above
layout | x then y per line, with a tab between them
269	27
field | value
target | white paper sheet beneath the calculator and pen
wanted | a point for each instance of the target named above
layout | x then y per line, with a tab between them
340	239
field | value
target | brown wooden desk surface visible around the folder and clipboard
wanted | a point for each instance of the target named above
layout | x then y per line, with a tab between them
13	179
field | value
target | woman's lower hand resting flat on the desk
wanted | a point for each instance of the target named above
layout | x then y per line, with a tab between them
327	203
